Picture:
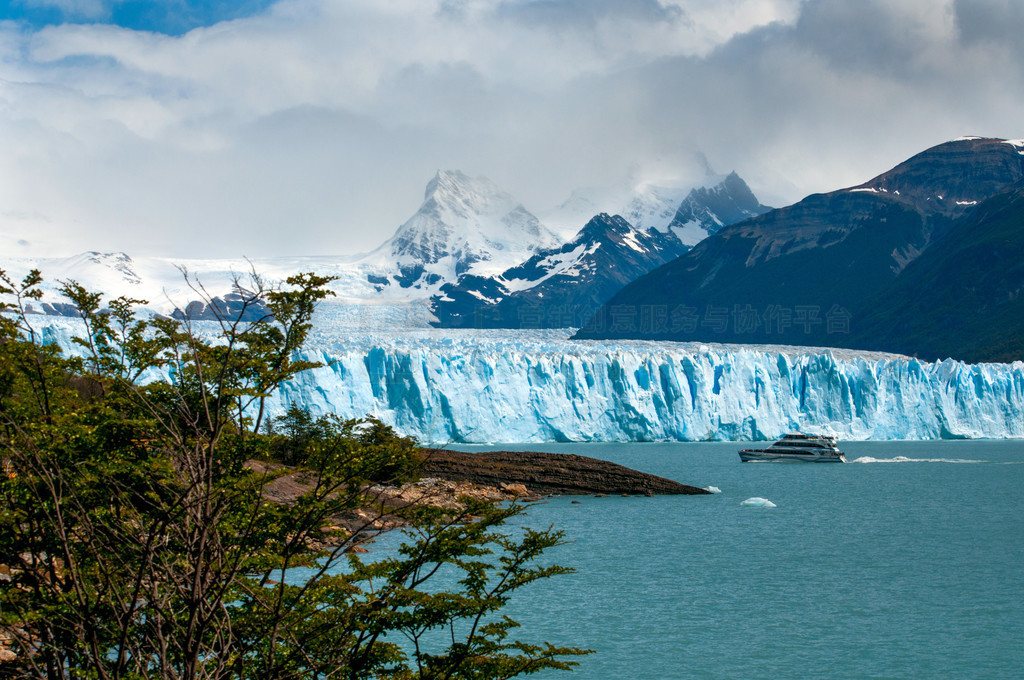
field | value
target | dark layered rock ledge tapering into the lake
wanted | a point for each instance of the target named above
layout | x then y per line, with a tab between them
547	475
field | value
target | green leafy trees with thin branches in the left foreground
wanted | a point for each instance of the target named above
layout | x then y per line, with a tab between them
139	535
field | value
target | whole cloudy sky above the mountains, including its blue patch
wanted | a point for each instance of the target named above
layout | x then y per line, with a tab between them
217	129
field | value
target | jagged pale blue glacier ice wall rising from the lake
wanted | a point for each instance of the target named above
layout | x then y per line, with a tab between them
457	387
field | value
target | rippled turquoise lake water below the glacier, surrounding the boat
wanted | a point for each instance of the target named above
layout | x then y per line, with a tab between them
908	563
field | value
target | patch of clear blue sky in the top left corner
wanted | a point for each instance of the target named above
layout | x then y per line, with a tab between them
167	17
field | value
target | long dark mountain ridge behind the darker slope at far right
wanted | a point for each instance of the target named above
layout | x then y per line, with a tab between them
808	274
